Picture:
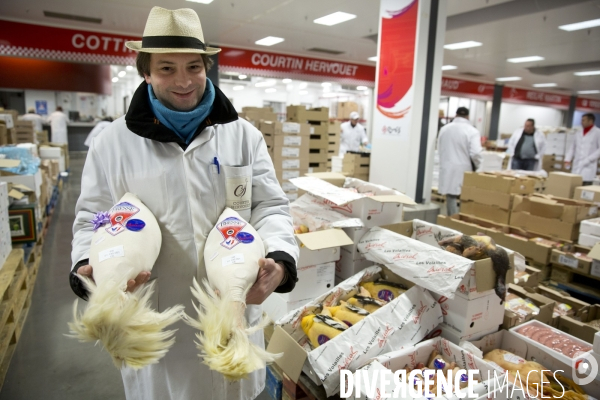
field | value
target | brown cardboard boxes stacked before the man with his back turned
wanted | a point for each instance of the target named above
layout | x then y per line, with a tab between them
490	196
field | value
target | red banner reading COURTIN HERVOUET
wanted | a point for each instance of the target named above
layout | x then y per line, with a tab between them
258	62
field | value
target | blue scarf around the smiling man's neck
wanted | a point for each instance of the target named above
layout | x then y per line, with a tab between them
184	123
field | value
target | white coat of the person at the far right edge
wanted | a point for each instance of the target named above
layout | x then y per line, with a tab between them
584	154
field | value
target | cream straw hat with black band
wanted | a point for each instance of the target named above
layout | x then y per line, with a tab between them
172	31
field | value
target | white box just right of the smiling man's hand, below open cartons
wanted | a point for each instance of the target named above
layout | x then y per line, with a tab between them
313	281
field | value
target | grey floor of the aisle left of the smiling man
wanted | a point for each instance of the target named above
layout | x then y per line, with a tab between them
46	364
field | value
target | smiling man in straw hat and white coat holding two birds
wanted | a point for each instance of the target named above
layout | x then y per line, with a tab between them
182	149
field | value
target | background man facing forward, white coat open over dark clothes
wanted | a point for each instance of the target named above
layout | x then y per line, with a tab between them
527	147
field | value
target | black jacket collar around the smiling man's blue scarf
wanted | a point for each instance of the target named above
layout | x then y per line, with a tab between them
141	120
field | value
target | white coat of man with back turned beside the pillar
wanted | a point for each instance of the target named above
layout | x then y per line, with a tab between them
459	144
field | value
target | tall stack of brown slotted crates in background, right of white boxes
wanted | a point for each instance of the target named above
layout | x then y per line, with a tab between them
318	119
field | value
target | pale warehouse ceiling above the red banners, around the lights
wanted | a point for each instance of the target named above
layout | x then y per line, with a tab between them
506	28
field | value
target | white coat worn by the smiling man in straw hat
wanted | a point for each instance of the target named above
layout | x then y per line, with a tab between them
187	194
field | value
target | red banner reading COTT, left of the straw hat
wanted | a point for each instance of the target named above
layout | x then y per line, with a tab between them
39	41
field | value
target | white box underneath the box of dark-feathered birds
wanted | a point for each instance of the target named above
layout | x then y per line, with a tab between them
466	317
